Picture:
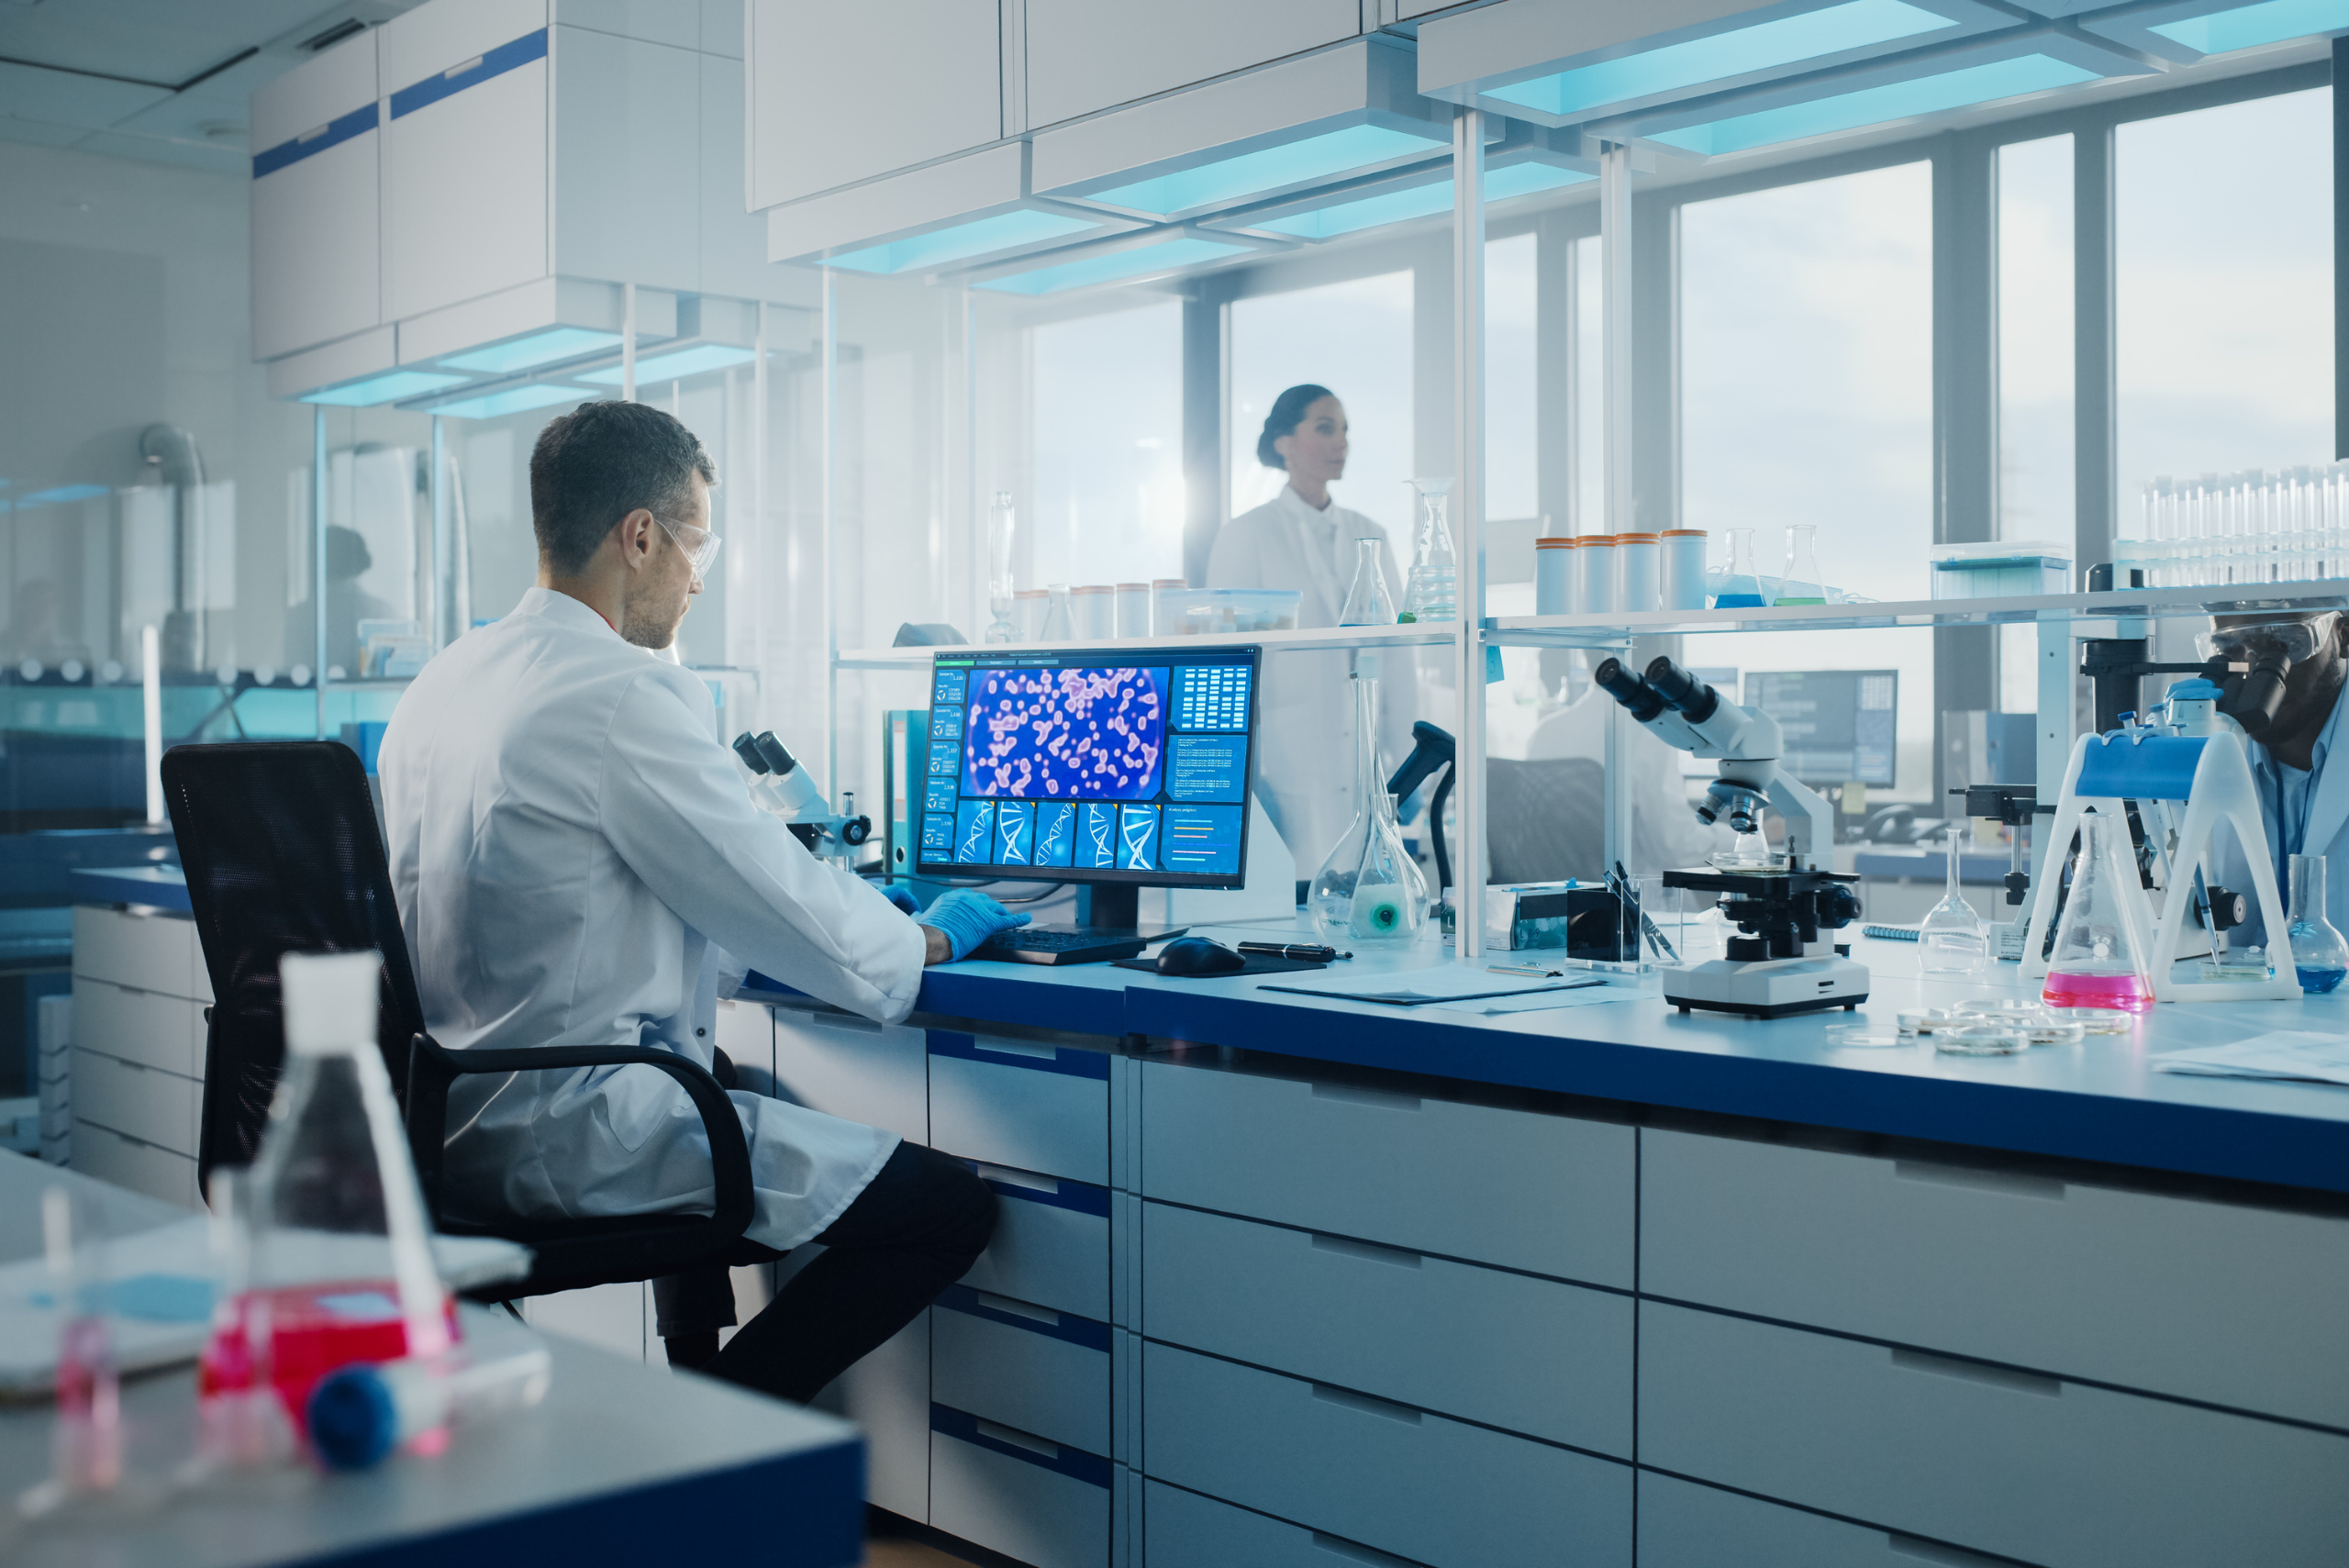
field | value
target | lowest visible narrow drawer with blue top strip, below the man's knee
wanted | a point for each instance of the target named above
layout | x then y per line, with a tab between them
1018	1494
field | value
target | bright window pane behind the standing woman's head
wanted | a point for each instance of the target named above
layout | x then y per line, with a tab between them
1354	339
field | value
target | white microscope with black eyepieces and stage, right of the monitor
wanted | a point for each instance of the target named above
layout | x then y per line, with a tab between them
1784	957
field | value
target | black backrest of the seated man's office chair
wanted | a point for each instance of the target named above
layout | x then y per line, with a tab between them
283	856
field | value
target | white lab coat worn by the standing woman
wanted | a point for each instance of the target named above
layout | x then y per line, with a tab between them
1305	712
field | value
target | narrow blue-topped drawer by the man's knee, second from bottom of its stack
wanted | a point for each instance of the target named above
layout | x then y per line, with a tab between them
1021	1365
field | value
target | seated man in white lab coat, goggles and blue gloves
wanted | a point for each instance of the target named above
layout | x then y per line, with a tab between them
579	863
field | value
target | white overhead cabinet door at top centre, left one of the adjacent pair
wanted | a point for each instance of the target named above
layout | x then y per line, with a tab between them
844	93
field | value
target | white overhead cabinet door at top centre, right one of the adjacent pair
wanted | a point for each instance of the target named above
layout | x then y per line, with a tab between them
1091	55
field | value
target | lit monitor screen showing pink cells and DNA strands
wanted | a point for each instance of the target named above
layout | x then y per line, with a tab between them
1056	766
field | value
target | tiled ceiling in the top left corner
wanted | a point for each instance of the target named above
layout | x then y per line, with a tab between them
163	81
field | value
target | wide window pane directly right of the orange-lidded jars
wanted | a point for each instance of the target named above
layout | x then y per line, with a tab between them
1808	398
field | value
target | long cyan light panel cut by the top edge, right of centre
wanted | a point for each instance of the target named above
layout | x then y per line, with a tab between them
1678	69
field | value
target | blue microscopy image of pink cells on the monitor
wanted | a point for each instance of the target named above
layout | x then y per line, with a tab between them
1065	734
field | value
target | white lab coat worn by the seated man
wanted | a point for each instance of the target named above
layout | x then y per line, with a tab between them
572	849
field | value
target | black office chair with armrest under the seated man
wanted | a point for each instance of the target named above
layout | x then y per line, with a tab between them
283	856
